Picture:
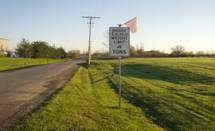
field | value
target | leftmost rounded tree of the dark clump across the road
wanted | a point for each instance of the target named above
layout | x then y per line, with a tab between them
24	49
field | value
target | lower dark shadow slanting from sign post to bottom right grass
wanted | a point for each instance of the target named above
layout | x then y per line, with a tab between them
150	105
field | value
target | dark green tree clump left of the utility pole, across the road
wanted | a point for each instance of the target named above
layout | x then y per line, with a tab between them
40	49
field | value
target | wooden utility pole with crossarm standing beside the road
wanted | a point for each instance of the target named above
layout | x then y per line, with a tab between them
90	26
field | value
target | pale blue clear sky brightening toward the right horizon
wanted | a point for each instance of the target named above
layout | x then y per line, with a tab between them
162	23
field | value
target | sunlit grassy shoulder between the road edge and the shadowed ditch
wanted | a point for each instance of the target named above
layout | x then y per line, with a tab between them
84	104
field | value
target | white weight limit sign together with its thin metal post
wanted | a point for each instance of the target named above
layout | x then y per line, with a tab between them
119	39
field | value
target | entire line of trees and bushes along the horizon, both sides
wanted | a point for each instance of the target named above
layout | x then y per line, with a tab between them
42	49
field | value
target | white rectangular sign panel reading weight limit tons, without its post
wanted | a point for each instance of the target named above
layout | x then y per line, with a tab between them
119	40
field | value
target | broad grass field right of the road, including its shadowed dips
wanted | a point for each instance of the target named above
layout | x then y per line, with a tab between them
158	94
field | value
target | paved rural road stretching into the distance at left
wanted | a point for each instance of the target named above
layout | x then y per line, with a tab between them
23	90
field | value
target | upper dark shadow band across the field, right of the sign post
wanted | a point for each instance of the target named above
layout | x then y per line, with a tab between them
147	71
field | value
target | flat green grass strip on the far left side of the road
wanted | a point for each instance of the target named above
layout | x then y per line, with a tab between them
15	63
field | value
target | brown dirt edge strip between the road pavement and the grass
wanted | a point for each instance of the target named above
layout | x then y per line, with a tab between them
36	103
